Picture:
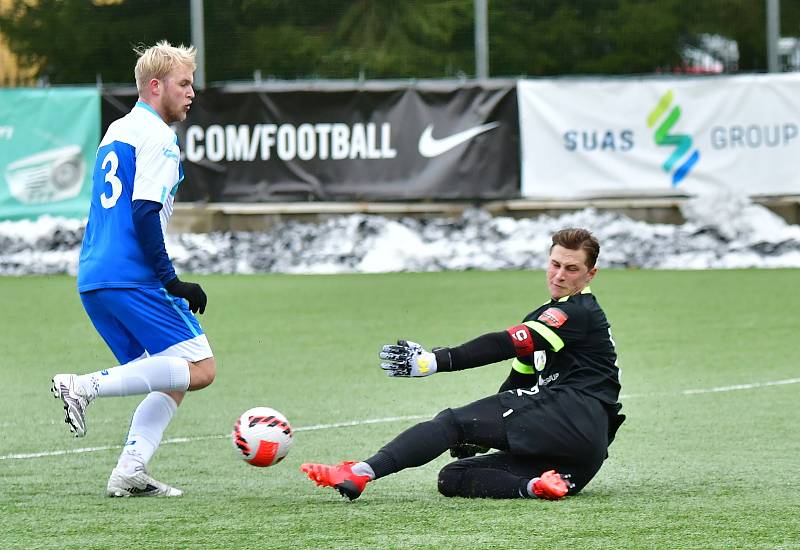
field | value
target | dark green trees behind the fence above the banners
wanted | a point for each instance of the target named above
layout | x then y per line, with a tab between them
75	41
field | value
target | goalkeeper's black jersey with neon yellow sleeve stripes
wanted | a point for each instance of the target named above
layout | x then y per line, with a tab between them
573	347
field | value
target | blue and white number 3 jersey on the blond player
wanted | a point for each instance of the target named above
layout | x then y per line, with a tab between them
138	159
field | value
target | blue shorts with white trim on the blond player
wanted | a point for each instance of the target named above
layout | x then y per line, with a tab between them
140	322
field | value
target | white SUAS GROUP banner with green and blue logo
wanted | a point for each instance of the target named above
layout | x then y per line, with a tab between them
660	136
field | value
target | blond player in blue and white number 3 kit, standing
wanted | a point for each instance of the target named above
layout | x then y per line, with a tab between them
126	280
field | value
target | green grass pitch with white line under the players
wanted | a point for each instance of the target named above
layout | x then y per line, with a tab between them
709	456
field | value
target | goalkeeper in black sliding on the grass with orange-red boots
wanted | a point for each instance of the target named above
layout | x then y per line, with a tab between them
551	422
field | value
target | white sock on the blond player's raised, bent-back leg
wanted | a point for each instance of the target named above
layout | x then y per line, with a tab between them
146	375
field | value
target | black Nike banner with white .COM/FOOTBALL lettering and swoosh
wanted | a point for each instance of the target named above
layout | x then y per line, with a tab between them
373	141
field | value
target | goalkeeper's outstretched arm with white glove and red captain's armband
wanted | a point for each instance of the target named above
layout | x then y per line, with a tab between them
409	359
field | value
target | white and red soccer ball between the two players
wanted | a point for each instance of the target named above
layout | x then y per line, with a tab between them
262	436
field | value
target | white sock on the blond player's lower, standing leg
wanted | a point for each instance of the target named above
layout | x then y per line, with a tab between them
149	421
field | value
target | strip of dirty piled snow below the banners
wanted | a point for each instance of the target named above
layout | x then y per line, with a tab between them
720	232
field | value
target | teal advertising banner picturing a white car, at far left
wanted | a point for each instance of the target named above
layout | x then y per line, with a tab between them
48	141
